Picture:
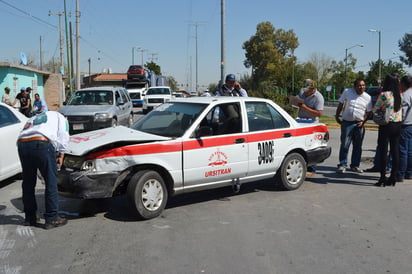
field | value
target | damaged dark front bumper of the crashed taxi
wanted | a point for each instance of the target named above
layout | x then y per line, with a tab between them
87	185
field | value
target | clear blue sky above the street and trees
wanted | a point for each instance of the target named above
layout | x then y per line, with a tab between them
166	30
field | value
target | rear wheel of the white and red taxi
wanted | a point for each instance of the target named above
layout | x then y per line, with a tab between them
292	172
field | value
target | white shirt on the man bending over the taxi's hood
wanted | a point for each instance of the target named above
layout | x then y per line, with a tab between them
50	124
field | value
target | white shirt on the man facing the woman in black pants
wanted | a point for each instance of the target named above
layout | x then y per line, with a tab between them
355	106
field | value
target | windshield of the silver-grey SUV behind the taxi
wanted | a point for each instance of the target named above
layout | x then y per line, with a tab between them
92	97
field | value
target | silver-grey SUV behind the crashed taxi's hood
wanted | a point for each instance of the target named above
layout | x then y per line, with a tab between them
98	107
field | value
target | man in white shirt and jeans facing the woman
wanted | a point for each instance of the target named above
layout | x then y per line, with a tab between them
355	105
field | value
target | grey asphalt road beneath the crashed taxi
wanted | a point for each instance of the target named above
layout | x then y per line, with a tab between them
335	223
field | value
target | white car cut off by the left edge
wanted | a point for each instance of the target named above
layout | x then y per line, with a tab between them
11	123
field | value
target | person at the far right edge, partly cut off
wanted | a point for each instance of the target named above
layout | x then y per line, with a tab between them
405	141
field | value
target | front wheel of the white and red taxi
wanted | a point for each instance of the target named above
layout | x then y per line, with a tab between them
148	193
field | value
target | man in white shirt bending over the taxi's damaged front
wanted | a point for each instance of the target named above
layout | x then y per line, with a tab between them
43	137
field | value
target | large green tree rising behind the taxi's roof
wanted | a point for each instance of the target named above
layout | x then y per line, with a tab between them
270	54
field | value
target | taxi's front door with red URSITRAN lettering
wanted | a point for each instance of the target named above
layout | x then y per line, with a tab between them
223	156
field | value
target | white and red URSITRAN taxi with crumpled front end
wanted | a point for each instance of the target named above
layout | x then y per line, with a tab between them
192	144
